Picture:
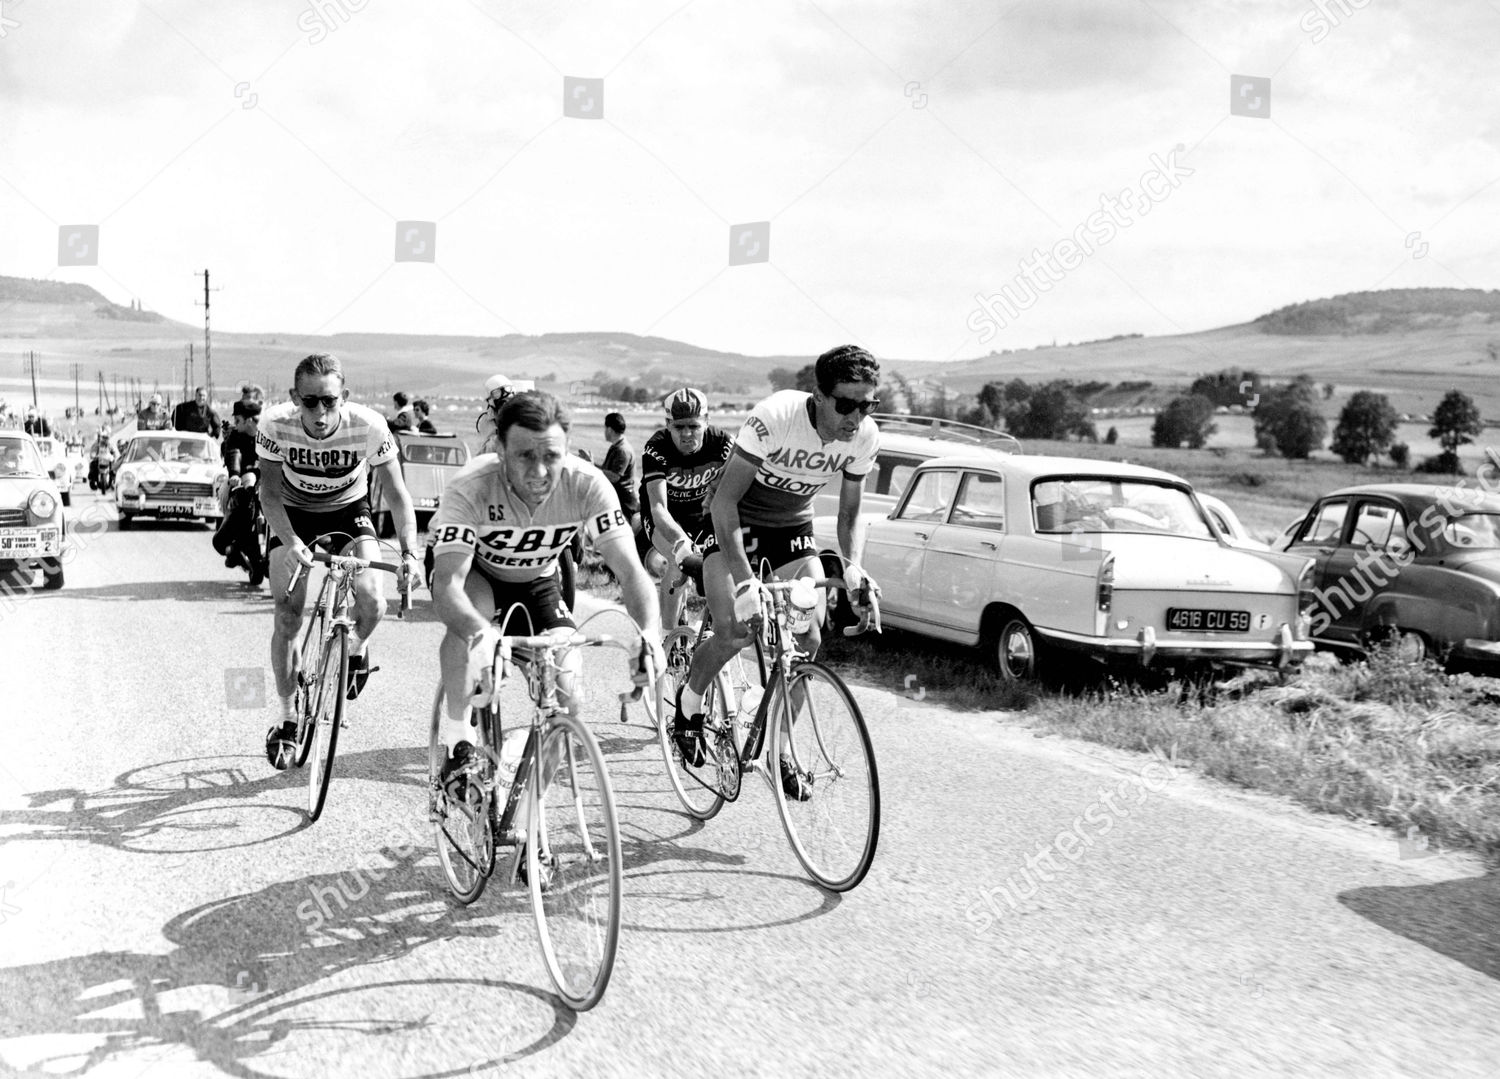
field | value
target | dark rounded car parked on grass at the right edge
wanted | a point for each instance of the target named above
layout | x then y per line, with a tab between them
1405	564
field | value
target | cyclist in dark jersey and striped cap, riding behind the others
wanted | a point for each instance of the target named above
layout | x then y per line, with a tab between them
679	469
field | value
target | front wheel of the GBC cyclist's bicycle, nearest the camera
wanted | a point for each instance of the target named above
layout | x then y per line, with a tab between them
574	862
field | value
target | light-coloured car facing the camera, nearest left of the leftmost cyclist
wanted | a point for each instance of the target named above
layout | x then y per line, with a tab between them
169	475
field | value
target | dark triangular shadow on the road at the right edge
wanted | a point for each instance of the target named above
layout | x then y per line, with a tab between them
1459	919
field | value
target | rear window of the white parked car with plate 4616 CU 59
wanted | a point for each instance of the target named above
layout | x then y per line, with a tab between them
1115	505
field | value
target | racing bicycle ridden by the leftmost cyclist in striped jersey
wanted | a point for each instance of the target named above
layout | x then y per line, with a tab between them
323	670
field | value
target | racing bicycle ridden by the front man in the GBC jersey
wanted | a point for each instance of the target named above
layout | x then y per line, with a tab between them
556	810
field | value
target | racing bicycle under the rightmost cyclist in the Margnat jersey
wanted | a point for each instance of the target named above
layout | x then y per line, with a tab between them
785	708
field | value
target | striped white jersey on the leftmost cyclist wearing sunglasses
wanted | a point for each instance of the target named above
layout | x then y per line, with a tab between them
331	472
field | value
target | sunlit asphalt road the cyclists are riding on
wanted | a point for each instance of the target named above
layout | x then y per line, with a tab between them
161	900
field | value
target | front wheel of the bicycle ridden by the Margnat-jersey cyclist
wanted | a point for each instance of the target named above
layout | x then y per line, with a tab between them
820	733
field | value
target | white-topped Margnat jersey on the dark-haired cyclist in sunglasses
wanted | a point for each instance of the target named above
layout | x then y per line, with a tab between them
793	461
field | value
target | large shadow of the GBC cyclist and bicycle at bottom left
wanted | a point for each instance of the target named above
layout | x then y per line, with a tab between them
233	990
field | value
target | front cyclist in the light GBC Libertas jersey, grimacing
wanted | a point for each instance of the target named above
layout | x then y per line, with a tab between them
500	529
